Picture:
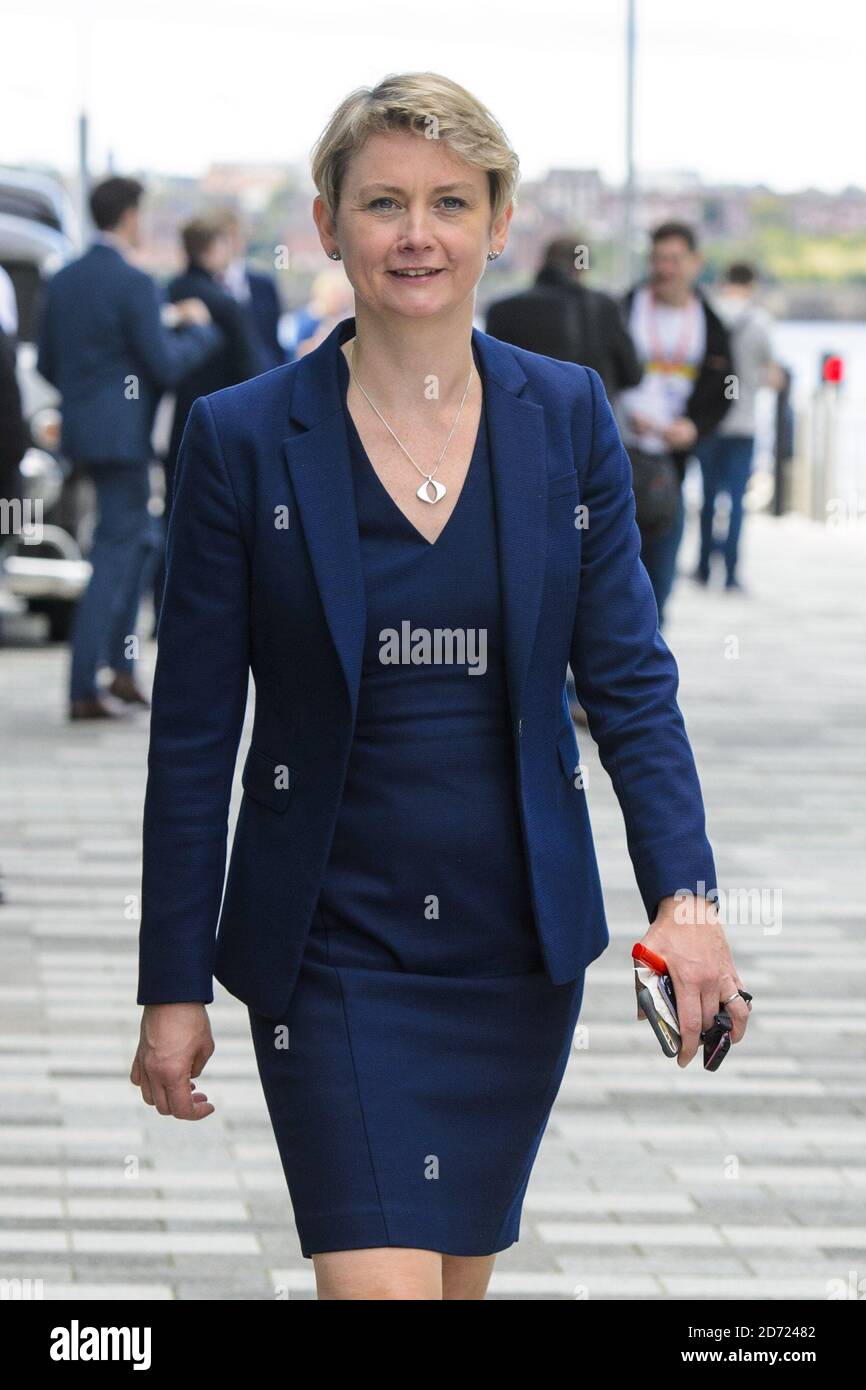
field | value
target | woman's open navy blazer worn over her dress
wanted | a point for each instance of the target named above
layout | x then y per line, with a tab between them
265	575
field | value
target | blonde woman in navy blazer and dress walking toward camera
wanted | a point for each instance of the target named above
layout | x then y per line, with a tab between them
407	537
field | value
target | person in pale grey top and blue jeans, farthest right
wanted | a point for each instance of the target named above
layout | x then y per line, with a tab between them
726	457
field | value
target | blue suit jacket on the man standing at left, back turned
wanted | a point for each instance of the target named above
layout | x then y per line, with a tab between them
99	330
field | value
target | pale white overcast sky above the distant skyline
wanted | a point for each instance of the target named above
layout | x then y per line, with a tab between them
750	91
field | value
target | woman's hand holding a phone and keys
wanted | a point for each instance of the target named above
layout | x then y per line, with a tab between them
689	936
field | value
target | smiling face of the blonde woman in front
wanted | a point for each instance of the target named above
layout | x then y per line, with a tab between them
409	204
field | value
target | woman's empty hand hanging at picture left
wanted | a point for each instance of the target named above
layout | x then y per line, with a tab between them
174	1046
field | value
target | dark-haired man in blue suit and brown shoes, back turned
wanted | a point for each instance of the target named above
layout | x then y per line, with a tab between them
105	348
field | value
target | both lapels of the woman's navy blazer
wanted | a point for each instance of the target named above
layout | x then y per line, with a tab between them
320	469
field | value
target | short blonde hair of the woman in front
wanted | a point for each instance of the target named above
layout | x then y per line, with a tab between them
419	102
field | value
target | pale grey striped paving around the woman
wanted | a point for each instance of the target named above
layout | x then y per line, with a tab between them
651	1182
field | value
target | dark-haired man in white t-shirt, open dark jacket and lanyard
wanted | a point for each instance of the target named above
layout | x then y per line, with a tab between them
682	397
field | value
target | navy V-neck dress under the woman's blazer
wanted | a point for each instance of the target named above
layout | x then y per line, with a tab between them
412	1077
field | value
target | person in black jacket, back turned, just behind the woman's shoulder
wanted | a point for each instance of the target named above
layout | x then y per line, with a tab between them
562	318
